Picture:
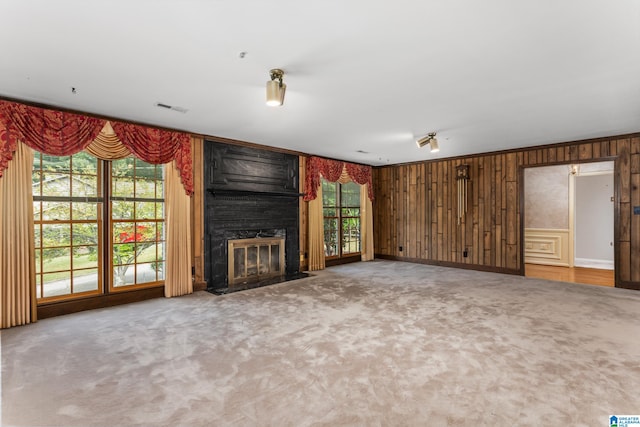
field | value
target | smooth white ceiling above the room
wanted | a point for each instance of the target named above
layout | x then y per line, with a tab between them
361	75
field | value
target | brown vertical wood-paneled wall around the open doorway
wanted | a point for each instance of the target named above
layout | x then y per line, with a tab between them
415	211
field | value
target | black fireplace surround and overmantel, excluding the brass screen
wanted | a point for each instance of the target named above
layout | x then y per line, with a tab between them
249	193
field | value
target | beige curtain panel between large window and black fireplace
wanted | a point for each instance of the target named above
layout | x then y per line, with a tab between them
178	227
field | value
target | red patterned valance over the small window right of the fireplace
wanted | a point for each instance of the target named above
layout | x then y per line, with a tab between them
331	171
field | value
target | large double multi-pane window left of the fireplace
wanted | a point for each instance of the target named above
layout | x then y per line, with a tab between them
71	251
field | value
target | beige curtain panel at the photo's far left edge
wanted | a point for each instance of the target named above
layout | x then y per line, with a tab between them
17	265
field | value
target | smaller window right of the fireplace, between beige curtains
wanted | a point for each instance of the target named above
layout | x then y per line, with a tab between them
341	207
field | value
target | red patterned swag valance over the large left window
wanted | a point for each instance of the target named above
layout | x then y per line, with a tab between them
63	134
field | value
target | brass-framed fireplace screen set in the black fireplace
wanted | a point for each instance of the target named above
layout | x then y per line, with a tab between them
252	260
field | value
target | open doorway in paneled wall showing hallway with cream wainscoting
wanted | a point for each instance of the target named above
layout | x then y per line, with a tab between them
569	223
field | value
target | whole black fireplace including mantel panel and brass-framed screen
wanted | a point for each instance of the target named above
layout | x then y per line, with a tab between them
251	194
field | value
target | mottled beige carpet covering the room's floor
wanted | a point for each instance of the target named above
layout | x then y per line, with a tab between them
368	344
